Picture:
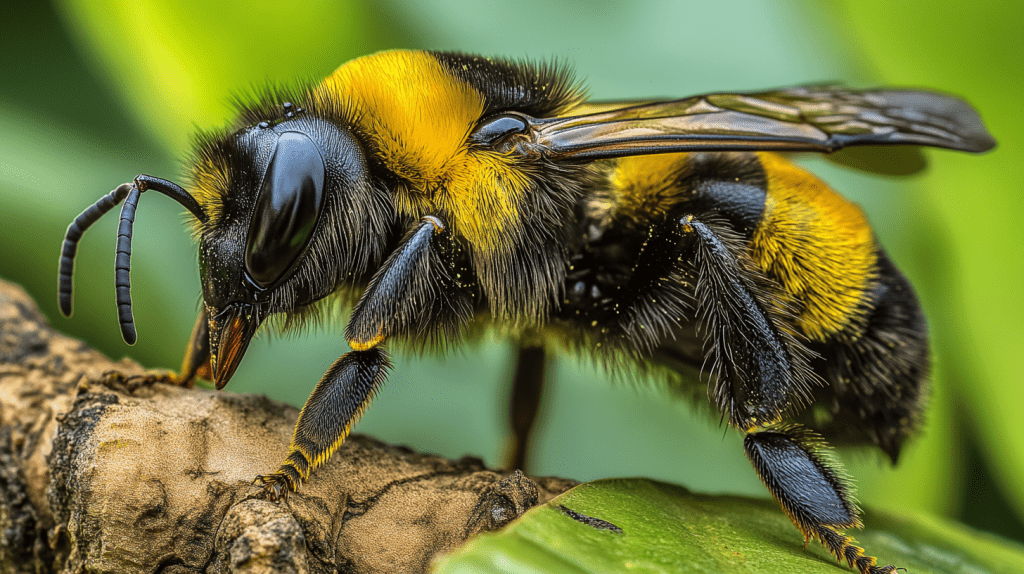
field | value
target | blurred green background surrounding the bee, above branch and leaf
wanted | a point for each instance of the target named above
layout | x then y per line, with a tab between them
97	93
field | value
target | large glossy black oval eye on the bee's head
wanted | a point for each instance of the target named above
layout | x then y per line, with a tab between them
287	209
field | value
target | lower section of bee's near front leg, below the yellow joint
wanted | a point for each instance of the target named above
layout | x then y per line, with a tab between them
337	403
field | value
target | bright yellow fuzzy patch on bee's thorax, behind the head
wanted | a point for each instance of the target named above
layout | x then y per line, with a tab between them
417	117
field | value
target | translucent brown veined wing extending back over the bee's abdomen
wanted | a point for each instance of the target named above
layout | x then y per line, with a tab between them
822	119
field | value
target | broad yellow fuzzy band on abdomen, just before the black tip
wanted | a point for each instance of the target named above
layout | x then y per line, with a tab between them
818	245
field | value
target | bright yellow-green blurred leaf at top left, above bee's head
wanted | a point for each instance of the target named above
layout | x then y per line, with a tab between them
188	58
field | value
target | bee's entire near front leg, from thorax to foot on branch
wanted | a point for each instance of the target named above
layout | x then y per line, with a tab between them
395	301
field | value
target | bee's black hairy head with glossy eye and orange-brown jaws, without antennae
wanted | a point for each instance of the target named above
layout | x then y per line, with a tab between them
293	213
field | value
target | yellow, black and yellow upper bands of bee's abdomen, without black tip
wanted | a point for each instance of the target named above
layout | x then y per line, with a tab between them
814	244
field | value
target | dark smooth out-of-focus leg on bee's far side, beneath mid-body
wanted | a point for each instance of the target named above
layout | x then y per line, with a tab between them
528	386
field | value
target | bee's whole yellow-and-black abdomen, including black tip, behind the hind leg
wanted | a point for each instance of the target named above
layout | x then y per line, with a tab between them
814	255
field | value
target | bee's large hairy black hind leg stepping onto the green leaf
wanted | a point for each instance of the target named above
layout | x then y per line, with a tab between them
763	373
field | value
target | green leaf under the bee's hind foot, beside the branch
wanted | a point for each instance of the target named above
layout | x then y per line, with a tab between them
666	528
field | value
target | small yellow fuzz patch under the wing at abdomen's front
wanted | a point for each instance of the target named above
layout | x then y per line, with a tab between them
647	186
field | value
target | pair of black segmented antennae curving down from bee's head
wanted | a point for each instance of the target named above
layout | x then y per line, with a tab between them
130	193
